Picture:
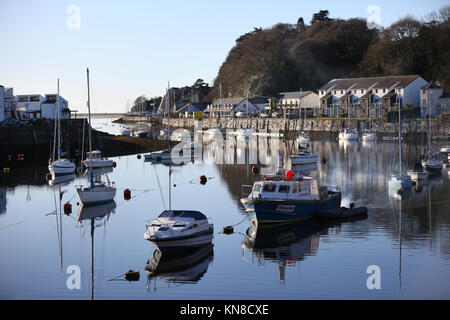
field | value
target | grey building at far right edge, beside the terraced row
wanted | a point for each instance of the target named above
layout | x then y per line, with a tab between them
432	95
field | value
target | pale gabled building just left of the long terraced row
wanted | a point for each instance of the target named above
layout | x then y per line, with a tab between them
306	100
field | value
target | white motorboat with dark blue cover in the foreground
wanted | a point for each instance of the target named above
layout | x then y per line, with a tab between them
174	229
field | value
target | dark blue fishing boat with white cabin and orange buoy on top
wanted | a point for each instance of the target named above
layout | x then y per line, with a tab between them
282	198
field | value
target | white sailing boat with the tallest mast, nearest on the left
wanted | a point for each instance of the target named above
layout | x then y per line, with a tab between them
97	192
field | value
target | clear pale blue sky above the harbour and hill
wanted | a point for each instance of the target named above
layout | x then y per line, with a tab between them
136	47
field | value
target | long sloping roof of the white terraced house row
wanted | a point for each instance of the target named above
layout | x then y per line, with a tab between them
362	83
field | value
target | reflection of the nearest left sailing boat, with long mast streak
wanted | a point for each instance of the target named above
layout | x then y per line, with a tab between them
96	216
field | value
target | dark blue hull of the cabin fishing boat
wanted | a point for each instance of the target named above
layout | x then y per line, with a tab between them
284	211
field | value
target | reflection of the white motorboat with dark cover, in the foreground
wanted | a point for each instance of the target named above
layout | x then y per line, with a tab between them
179	267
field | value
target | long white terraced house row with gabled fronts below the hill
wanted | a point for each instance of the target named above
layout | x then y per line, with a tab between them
369	97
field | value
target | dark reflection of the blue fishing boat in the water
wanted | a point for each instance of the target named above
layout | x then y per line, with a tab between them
287	243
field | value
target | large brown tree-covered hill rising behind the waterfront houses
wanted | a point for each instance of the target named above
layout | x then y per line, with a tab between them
288	57
